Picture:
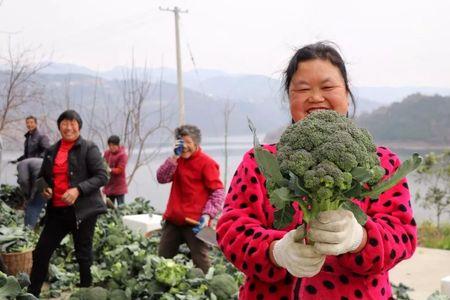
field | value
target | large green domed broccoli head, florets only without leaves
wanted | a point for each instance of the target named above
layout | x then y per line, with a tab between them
322	151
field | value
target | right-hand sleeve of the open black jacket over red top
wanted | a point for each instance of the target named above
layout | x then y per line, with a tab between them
97	168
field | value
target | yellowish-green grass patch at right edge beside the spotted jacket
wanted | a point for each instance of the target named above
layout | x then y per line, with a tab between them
432	237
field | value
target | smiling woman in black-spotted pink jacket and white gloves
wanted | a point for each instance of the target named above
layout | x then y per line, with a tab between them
347	261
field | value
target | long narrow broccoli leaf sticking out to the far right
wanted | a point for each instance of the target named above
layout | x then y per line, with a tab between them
406	167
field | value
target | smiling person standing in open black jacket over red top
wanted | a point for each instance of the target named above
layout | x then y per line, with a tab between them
74	170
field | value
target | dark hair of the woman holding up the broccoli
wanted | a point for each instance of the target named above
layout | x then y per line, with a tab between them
320	50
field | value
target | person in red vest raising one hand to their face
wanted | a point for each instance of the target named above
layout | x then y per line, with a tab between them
197	193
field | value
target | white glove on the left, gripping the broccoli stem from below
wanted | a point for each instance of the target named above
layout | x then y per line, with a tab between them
299	259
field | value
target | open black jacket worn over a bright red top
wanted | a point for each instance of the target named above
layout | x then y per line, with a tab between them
87	172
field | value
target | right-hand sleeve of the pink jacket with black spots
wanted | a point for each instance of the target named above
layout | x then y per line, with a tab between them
391	228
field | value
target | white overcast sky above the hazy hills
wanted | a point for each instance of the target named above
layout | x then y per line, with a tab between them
385	42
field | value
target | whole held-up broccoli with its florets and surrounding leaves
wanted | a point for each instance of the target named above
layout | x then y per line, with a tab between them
322	163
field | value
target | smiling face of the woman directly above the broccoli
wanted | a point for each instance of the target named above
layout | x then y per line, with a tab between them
317	84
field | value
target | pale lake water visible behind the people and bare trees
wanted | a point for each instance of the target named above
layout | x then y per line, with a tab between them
145	185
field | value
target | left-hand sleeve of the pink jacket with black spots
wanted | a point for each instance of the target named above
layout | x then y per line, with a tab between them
243	230
